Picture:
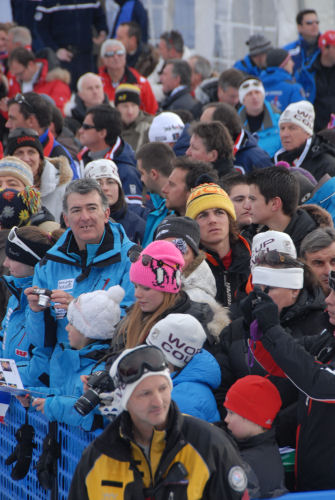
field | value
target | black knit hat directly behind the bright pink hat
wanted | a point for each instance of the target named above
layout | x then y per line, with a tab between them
180	227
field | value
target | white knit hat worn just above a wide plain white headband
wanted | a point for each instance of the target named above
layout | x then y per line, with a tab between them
271	240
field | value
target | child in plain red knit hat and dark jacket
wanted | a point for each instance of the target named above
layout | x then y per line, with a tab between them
252	404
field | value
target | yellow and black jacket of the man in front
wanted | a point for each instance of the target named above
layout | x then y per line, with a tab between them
190	460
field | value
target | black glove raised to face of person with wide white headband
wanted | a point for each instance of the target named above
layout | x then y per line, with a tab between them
264	309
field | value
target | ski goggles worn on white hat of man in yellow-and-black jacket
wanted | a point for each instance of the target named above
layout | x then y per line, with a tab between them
147	359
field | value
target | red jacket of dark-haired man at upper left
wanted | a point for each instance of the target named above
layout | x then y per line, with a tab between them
50	83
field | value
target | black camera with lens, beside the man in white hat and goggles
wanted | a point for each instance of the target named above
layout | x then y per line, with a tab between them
98	382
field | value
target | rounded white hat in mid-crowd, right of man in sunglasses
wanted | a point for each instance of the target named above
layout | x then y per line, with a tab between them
166	127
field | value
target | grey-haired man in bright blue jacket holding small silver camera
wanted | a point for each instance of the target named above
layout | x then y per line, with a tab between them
91	255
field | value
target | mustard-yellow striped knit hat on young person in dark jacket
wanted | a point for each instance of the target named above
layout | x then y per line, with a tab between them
206	196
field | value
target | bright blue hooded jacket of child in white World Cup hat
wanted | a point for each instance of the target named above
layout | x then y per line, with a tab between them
193	385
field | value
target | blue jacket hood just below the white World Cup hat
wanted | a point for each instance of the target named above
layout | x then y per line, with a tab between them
203	368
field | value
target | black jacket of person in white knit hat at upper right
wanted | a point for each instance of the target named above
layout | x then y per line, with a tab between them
320	159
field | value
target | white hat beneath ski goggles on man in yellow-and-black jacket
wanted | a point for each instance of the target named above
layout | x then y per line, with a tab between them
125	391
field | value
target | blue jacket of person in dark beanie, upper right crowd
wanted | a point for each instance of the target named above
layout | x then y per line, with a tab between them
280	87
